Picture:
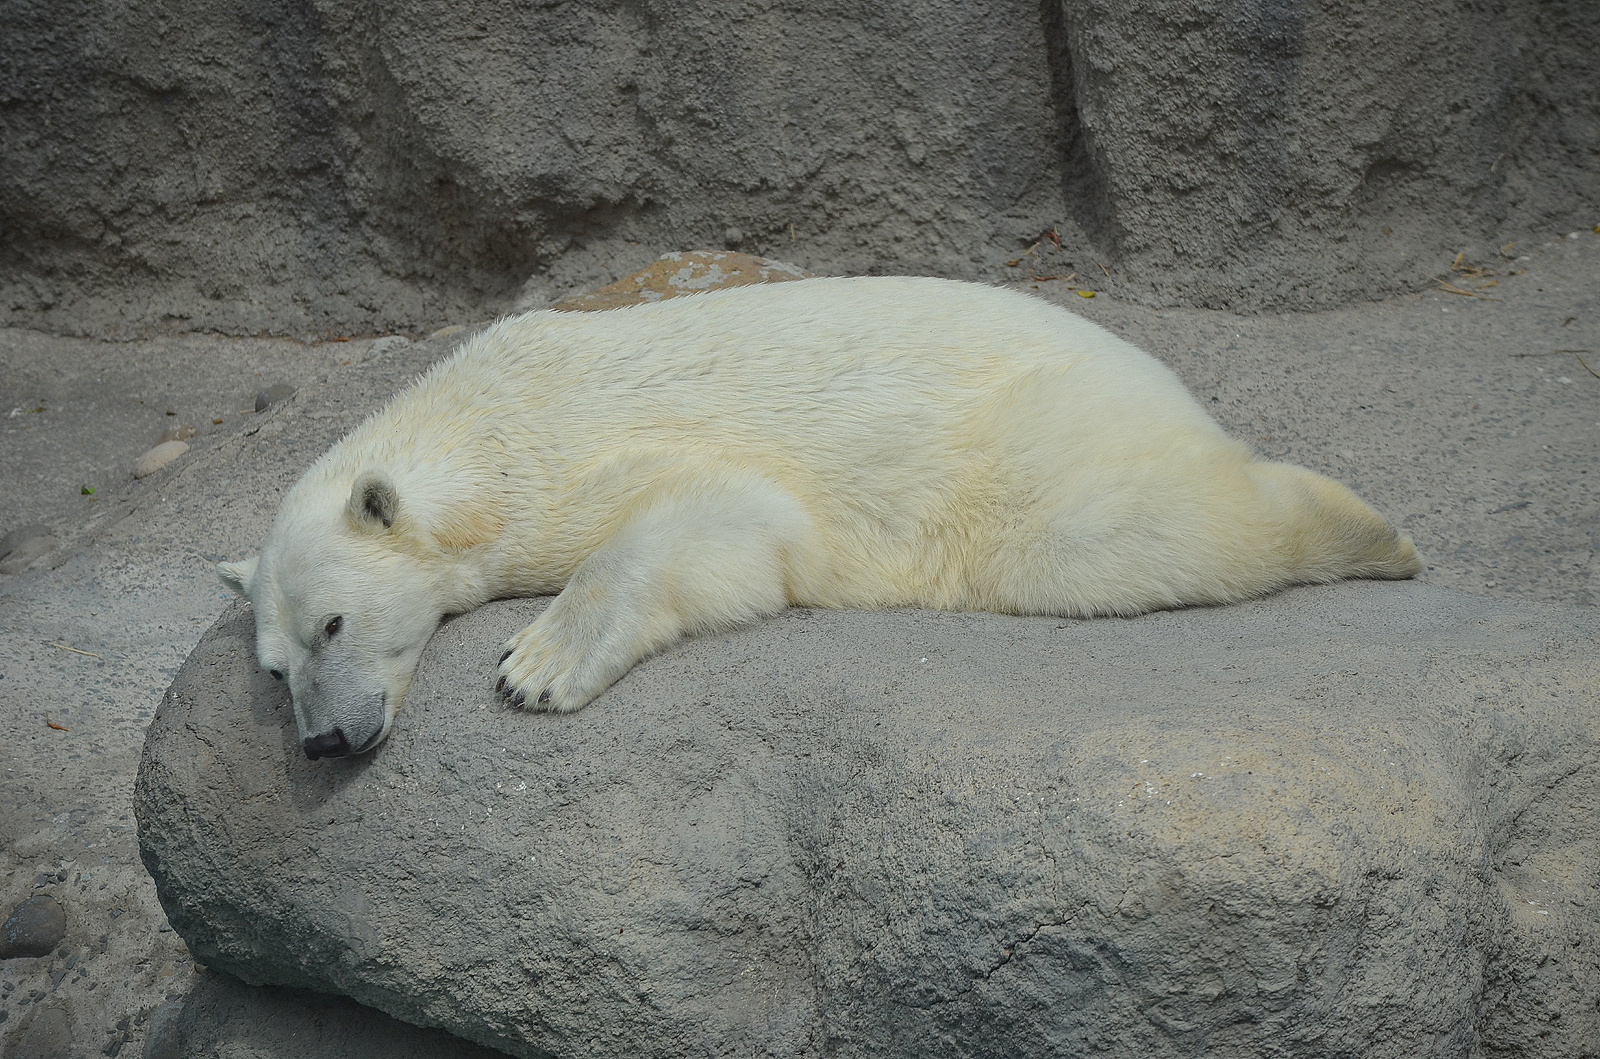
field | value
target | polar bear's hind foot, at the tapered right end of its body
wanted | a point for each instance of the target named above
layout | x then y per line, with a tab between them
1329	533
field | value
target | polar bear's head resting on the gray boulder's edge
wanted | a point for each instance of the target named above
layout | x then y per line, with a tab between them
345	605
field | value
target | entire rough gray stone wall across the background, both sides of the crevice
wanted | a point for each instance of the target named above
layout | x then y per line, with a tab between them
362	167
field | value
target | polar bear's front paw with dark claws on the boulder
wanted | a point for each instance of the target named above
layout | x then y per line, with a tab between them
558	665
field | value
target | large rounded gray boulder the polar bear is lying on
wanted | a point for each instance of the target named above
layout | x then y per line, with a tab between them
1343	821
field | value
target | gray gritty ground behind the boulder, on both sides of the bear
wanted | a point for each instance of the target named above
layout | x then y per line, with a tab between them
1457	417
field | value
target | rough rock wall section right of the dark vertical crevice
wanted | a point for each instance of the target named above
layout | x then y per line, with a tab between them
1238	154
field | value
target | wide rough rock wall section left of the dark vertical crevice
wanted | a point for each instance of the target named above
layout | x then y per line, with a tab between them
354	169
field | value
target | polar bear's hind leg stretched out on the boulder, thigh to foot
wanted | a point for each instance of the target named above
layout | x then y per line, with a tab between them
1158	533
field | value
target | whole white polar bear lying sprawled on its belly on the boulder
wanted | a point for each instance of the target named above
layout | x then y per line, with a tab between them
676	468
